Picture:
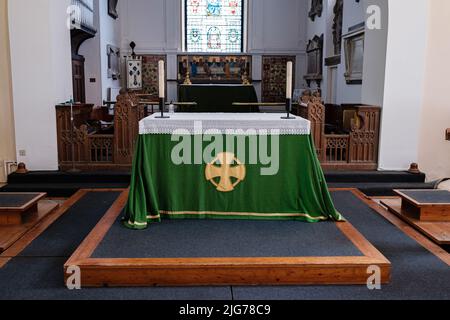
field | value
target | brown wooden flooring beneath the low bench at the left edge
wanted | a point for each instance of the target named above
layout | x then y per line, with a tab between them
10	234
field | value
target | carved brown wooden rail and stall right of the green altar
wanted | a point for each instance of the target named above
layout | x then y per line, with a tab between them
354	150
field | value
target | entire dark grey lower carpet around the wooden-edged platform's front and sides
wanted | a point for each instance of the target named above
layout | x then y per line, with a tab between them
417	274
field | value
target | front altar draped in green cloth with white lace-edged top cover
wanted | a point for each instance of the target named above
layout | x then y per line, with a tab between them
271	172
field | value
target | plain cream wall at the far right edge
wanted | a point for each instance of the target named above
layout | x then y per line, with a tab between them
434	150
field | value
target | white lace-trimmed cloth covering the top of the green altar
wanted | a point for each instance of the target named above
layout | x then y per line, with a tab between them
225	123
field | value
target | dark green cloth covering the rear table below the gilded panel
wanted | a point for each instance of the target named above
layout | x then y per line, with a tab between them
217	98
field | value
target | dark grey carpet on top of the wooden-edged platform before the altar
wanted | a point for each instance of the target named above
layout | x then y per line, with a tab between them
226	238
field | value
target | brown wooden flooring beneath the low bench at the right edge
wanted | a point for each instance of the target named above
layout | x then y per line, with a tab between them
439	232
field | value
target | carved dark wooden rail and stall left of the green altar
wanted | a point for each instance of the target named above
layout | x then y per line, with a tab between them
92	148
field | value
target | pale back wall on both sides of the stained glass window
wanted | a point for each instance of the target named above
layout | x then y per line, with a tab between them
274	27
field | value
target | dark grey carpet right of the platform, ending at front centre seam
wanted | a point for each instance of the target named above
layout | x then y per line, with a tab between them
416	273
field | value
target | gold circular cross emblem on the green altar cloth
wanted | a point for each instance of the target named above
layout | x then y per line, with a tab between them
225	172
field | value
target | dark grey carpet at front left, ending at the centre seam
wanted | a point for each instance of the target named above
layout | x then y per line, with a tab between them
42	279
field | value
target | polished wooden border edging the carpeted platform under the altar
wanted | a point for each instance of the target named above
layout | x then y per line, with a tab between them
223	271
